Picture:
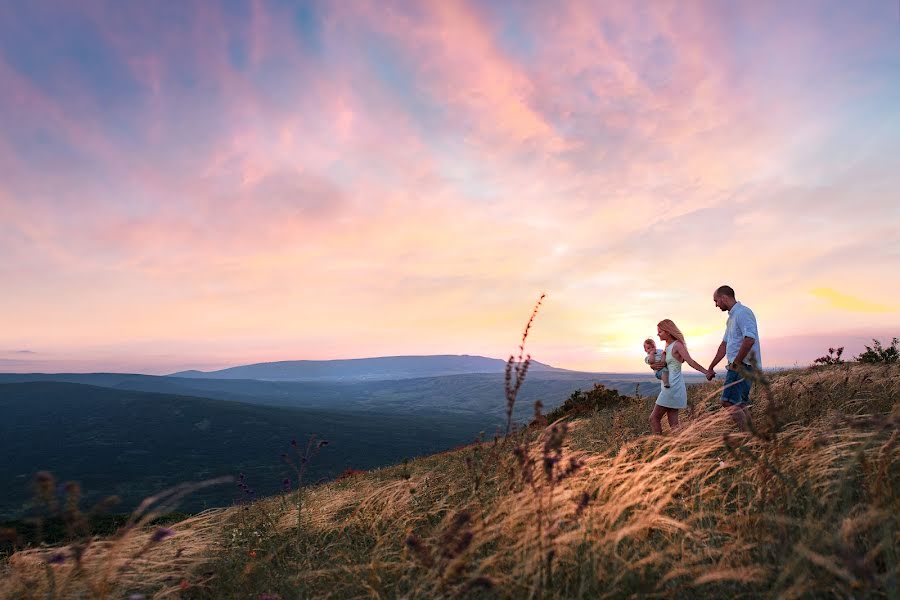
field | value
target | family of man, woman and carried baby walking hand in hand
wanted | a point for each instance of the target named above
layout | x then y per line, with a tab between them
740	345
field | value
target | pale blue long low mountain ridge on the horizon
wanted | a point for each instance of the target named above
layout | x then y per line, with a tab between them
361	369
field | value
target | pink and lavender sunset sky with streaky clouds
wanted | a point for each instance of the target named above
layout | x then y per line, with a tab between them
207	184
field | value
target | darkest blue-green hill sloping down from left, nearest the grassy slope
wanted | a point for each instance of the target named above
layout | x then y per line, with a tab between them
134	444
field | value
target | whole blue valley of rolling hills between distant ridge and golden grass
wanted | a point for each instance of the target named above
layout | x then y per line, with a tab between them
133	435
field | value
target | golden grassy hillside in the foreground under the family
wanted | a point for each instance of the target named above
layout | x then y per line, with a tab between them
805	506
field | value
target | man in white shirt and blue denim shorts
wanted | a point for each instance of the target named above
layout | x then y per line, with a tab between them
741	346
